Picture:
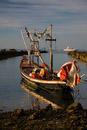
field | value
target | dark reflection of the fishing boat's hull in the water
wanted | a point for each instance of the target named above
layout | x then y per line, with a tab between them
55	98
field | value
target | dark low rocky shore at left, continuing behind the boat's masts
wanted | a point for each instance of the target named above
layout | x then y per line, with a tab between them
5	54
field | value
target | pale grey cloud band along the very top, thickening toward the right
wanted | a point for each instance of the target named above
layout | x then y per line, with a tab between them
68	5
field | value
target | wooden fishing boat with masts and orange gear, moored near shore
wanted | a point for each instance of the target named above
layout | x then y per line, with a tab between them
43	75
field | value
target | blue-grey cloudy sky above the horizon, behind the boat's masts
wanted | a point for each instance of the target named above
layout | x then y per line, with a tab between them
68	17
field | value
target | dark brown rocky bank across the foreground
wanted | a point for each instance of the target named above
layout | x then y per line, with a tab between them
73	118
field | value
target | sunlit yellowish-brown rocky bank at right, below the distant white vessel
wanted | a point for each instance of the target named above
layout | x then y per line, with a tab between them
79	55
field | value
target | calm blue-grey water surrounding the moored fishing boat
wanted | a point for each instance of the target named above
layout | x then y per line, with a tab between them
13	96
